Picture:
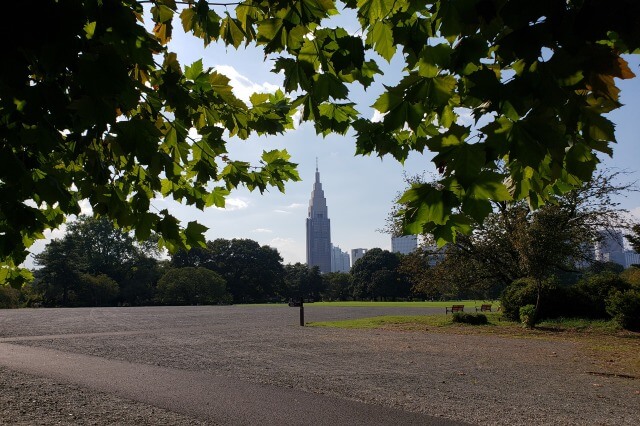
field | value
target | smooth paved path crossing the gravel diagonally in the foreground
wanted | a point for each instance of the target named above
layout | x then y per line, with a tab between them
221	400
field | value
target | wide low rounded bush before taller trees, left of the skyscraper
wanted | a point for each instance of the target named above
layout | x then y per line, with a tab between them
191	286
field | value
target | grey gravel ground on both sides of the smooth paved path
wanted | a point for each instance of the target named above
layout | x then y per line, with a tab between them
477	379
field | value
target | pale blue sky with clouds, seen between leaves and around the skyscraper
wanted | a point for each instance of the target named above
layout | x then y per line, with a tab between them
359	190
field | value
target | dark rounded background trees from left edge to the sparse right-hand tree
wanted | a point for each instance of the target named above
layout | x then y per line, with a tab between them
97	264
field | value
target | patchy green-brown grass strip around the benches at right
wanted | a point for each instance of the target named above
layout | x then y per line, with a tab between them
612	350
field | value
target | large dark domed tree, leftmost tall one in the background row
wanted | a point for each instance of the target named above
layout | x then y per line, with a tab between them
93	253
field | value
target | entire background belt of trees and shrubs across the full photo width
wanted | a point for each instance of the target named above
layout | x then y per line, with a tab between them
523	258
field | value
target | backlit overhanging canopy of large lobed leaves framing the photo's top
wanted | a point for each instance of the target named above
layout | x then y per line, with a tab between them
94	106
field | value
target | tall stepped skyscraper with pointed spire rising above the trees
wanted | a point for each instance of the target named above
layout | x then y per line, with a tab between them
318	229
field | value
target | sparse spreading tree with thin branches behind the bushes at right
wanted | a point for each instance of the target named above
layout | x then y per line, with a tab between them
514	242
